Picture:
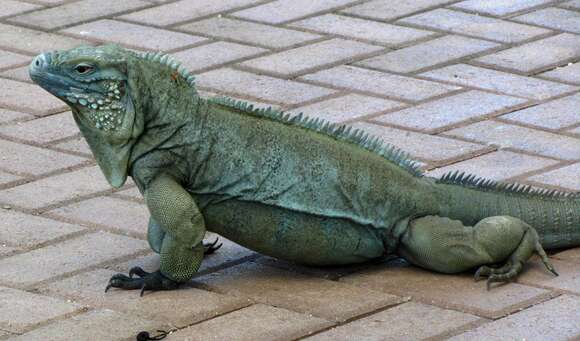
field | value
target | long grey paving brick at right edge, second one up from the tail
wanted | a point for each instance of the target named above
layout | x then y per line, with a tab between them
534	141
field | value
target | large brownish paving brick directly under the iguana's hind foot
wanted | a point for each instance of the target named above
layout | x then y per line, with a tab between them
458	292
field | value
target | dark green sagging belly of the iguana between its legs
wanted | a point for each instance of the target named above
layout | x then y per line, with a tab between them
294	236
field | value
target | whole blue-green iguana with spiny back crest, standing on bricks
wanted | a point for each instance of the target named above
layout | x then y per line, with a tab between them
288	187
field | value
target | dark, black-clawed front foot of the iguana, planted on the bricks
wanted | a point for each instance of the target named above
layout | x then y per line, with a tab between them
144	281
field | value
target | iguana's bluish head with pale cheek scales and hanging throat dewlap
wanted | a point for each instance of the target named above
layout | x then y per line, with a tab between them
97	83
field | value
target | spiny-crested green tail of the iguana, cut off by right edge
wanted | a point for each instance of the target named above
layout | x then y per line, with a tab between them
555	215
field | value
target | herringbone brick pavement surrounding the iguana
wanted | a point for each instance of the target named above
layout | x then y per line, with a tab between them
491	87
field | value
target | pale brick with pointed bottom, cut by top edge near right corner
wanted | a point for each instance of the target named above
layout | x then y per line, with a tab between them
499	7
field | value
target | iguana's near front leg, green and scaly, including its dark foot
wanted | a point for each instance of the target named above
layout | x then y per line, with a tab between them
178	226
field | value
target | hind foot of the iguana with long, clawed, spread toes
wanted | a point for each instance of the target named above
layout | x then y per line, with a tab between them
513	266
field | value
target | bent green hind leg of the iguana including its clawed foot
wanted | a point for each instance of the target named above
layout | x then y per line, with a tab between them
447	246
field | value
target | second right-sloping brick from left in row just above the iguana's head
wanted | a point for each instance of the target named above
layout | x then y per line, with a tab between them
248	32
